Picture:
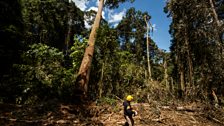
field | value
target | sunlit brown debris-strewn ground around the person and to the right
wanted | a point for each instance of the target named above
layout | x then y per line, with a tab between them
190	115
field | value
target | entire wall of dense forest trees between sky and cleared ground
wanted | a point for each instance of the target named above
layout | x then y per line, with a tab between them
45	47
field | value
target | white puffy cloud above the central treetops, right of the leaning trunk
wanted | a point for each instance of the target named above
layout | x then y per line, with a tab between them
115	17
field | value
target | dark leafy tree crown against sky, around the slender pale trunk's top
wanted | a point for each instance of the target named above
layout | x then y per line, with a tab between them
132	34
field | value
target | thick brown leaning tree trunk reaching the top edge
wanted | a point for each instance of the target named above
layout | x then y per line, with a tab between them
84	70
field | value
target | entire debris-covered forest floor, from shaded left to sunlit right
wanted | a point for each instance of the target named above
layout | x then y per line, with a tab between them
93	114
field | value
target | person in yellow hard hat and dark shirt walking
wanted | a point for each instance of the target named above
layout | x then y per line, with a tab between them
129	111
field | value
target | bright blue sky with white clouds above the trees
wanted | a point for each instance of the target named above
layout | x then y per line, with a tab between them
159	19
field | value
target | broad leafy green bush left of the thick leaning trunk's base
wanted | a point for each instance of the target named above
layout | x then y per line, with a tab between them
43	75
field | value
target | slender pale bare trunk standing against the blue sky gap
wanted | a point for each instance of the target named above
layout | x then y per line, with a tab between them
147	44
